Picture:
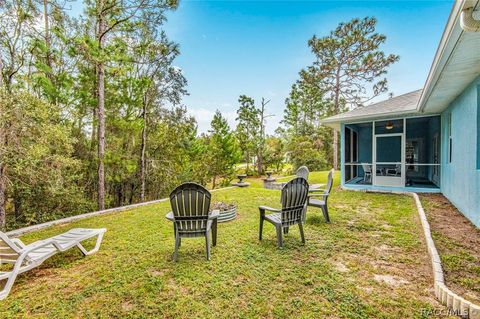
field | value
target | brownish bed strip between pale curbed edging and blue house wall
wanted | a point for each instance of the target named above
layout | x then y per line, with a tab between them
458	242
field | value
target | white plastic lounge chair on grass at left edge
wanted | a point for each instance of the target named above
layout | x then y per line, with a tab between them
25	257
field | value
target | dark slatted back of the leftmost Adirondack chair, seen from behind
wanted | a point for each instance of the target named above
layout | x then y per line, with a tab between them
190	205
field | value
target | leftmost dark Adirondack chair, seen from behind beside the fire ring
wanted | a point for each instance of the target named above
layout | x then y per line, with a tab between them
191	215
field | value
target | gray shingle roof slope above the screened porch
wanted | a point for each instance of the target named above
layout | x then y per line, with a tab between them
402	104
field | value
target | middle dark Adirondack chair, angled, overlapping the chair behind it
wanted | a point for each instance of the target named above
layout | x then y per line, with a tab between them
293	198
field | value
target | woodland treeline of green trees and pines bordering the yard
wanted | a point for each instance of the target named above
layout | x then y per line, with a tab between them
91	112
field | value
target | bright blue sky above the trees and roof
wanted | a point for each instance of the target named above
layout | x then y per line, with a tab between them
230	48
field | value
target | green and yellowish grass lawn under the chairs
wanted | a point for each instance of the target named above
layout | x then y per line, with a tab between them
371	262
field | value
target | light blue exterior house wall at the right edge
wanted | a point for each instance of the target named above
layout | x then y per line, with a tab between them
460	178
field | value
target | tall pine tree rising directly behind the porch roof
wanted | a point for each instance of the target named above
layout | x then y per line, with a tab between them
350	65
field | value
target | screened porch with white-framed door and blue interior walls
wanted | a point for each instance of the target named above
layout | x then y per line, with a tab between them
393	153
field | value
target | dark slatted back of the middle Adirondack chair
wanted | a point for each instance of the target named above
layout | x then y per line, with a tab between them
294	199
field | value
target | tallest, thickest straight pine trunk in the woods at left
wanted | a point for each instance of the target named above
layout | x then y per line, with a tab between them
101	111
